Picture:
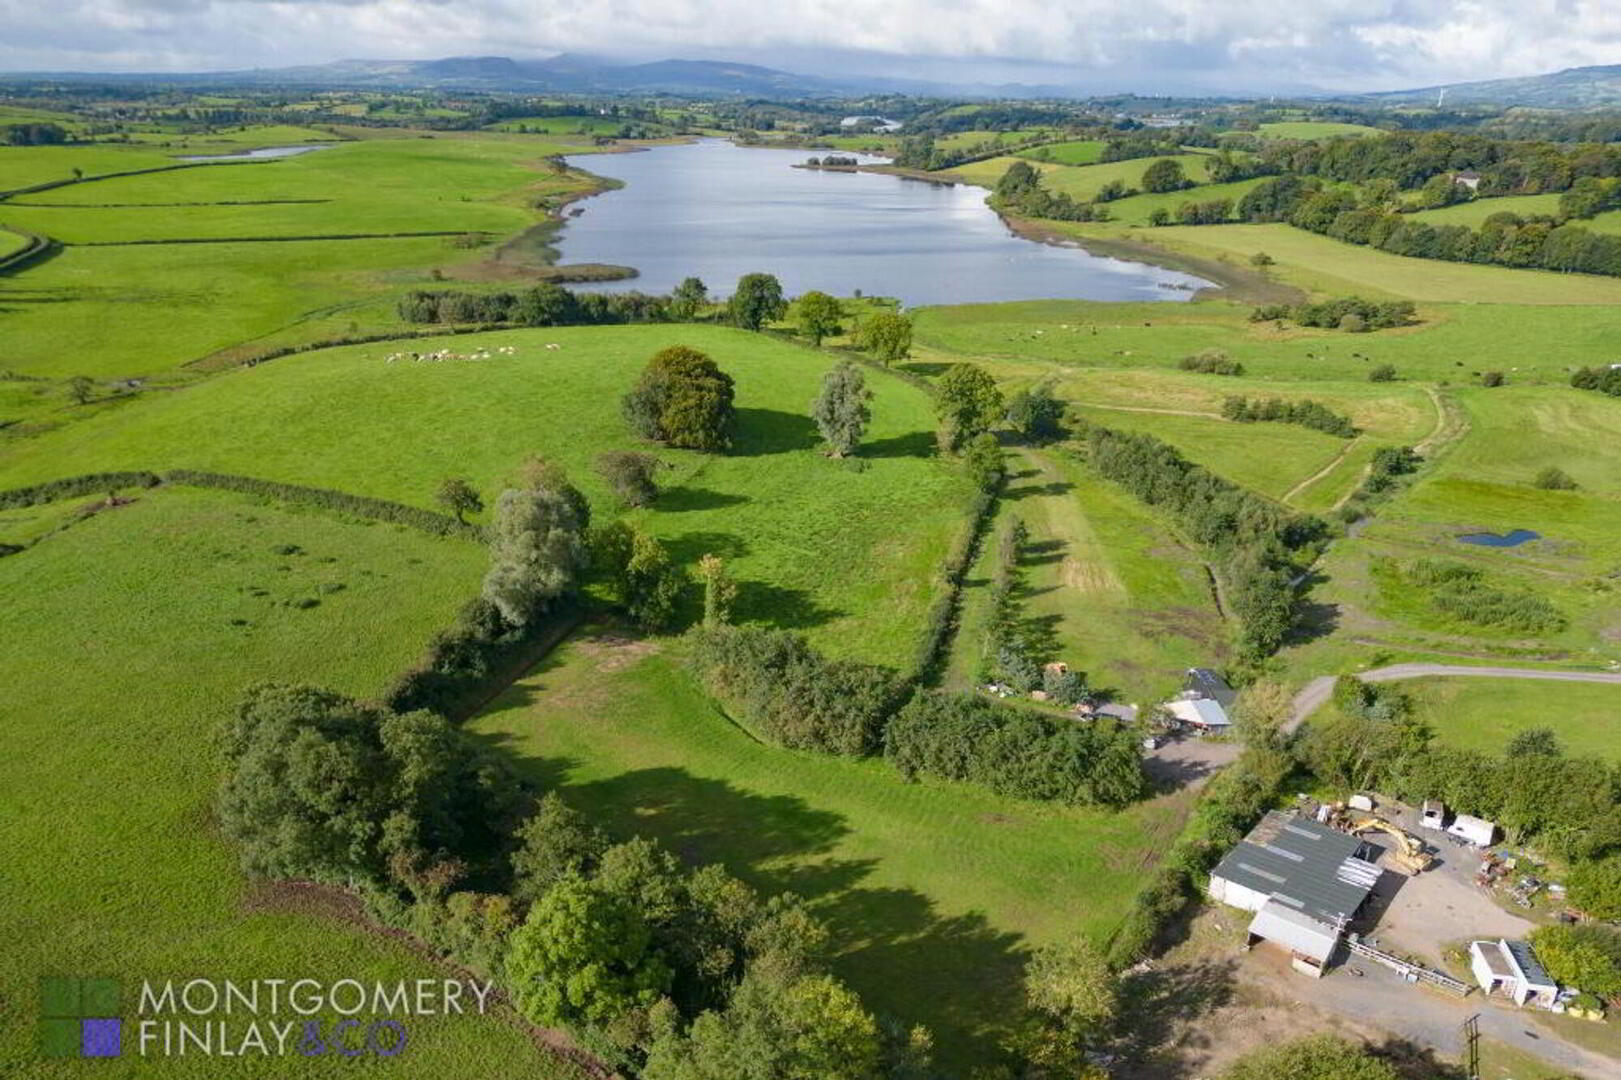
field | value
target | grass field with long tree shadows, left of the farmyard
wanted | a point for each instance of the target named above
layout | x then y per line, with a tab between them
933	891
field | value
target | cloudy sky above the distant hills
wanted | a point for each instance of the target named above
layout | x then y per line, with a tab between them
1100	45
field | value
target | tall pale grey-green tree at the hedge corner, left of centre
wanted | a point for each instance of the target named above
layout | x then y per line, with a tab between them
537	544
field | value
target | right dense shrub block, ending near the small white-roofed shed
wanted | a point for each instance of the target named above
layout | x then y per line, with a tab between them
1016	752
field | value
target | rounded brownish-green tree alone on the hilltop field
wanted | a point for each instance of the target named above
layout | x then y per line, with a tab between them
683	400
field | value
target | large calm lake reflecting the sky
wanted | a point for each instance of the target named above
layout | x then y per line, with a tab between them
721	212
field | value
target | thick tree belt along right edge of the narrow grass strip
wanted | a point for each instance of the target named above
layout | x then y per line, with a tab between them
1257	546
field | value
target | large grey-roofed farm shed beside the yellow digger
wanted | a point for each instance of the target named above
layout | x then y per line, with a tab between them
1304	881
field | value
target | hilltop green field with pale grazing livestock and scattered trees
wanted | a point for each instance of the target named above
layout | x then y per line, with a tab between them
815	542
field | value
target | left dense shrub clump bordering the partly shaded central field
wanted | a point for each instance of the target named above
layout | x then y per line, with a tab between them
793	695
